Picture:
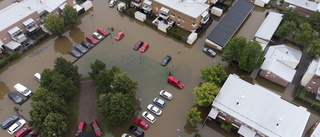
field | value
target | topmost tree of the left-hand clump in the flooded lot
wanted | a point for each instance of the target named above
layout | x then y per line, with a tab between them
67	69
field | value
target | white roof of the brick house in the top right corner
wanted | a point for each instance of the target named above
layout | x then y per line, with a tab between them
310	5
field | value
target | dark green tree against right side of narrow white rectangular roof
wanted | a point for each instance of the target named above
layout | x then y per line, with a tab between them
285	29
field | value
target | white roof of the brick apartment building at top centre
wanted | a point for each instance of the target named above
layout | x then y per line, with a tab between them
193	8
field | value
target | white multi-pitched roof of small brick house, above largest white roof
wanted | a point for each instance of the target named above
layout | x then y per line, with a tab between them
282	60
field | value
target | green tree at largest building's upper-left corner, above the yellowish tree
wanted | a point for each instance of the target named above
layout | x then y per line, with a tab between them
215	74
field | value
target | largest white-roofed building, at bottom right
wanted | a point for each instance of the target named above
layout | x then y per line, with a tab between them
255	111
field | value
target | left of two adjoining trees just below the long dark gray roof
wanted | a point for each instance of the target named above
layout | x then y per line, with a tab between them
232	51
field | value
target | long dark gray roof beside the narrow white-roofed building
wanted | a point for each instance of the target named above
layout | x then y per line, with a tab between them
223	32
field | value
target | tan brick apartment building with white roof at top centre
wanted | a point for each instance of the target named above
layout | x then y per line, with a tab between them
186	14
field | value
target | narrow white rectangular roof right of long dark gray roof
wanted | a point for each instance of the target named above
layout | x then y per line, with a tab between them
269	26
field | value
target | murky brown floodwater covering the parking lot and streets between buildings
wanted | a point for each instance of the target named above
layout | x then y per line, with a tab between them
142	67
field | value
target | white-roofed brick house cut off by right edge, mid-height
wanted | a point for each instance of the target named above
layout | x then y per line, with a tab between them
311	78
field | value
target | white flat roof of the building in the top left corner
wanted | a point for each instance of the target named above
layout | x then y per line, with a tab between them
20	10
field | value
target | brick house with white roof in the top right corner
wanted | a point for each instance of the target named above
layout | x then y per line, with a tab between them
305	7
